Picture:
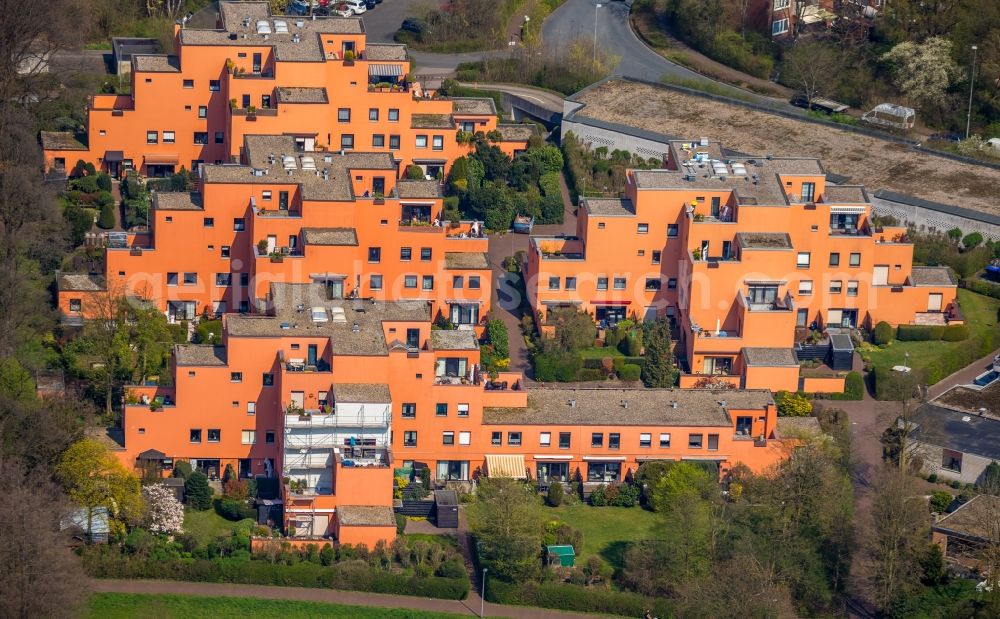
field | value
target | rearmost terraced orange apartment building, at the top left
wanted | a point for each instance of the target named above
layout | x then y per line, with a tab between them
257	74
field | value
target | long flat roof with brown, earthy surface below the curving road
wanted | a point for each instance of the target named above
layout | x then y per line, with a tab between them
875	163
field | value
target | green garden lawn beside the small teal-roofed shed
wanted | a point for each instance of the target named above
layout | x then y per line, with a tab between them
607	531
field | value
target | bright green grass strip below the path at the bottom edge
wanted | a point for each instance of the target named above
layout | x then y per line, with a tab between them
126	605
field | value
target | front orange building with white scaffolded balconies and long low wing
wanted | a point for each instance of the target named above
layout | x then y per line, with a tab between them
334	394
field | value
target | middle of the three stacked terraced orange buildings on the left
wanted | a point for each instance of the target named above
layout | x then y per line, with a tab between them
292	215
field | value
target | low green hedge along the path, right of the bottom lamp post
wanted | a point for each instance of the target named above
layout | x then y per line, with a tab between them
575	598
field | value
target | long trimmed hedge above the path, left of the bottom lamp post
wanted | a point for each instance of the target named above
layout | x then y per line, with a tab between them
350	575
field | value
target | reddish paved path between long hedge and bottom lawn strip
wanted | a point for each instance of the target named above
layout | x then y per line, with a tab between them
468	607
